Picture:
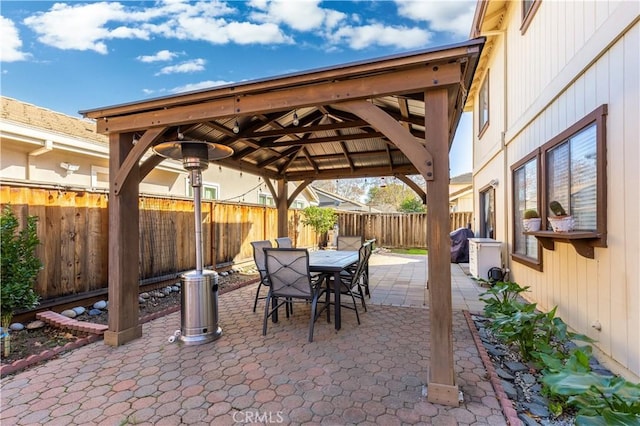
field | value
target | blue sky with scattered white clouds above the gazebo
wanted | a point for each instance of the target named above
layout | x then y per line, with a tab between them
82	55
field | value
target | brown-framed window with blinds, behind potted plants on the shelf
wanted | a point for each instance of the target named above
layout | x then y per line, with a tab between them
575	170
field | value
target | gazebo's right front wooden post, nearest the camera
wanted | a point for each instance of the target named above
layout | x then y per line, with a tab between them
442	388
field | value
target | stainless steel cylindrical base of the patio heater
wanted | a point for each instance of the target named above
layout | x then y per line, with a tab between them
199	312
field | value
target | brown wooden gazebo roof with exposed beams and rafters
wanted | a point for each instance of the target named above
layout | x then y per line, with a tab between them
327	141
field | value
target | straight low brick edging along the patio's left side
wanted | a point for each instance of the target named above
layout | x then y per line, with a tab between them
48	354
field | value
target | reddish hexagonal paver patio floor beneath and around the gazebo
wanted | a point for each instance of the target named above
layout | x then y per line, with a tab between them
372	373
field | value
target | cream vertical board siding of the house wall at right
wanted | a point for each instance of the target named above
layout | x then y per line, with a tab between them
574	57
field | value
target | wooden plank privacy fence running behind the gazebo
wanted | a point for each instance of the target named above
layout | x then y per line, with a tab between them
73	229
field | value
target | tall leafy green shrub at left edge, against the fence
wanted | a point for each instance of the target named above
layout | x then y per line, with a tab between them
20	266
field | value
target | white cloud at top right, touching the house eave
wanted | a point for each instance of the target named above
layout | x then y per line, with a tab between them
451	16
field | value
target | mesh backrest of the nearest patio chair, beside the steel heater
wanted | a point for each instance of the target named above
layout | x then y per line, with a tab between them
288	270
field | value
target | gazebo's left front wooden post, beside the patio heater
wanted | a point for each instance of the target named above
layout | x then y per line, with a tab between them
123	246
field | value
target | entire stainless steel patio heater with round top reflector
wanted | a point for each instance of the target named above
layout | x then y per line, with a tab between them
199	311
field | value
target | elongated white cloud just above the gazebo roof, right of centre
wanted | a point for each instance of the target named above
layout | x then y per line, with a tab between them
377	34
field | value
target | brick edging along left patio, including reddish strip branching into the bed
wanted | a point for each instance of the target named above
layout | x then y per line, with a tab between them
87	327
